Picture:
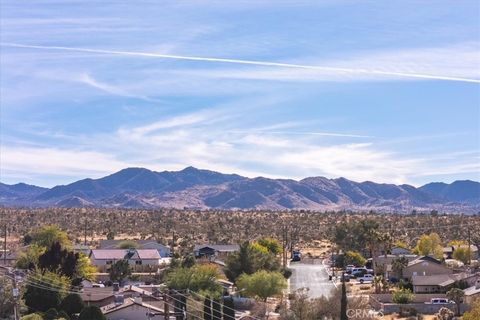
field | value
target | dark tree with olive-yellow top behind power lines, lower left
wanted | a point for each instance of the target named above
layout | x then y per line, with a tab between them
45	290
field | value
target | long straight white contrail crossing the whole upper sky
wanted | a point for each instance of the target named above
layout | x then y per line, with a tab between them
247	62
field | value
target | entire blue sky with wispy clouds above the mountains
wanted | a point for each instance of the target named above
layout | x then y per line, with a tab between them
373	90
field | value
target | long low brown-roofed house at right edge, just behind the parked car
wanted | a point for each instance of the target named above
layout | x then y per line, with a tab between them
440	283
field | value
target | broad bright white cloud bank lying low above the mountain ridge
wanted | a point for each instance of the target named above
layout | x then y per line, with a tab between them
193	139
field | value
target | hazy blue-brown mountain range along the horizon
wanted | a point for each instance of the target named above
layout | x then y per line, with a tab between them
203	189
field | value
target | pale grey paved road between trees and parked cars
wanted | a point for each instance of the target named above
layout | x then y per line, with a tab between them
310	275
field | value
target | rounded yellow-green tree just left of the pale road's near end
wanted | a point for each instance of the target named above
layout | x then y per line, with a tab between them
262	284
